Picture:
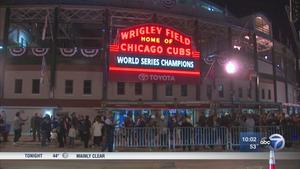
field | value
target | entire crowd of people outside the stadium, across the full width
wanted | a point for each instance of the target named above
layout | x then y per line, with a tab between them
64	129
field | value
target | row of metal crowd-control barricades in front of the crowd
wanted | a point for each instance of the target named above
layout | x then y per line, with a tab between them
228	138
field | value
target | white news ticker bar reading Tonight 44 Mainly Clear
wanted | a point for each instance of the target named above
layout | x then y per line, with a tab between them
146	156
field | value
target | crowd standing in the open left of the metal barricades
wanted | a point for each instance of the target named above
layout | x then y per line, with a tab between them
64	129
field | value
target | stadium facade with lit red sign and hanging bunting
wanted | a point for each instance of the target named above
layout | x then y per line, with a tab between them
76	56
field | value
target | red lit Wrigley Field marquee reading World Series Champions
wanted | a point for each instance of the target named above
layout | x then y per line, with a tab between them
153	53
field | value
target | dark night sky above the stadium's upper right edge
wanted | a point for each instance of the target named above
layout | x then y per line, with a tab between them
273	9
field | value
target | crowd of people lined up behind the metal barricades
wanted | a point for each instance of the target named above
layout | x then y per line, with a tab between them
215	120
